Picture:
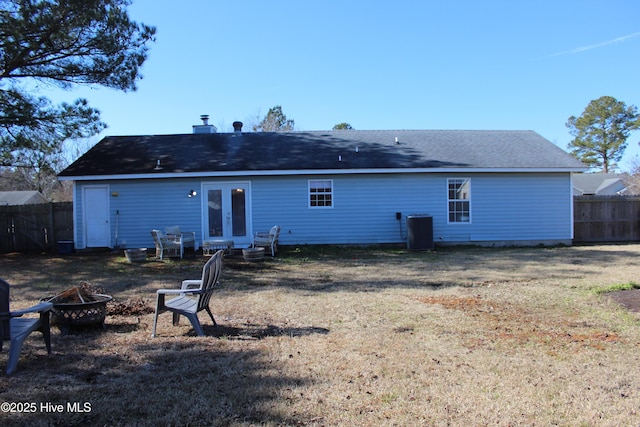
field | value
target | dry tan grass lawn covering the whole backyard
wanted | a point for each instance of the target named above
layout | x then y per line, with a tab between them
341	337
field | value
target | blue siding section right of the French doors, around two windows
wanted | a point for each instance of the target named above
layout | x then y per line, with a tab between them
513	207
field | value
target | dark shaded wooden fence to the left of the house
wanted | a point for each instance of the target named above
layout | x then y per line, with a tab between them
38	227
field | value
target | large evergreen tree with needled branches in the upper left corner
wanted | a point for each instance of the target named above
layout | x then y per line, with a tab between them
66	43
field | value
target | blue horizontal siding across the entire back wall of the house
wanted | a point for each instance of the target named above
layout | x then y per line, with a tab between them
515	207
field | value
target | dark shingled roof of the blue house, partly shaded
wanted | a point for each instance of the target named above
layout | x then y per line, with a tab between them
321	150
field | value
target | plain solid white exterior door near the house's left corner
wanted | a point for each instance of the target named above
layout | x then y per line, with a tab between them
96	216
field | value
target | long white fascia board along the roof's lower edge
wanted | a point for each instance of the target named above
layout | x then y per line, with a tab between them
316	172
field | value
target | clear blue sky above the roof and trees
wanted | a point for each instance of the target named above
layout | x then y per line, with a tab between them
398	64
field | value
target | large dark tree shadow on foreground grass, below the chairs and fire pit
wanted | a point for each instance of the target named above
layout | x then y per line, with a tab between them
162	381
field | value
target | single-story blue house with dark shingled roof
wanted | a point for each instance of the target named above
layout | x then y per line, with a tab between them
325	187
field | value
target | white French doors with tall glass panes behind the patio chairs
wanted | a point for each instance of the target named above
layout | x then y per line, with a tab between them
226	212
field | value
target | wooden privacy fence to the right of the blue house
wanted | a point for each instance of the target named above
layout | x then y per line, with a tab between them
606	218
